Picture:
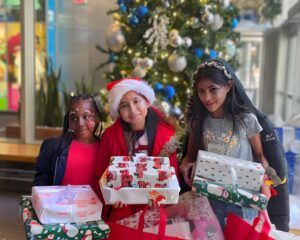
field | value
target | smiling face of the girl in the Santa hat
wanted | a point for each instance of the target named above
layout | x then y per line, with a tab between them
133	109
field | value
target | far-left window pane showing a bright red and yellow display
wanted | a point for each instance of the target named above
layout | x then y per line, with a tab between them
10	69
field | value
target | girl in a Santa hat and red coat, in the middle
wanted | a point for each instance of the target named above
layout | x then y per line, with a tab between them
139	128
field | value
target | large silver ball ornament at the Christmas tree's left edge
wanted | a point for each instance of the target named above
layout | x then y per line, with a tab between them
114	38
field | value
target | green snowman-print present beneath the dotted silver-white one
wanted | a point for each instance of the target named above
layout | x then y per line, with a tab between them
229	194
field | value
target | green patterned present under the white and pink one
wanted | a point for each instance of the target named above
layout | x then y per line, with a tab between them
36	230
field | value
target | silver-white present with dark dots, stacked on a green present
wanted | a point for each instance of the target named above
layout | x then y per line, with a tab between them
227	170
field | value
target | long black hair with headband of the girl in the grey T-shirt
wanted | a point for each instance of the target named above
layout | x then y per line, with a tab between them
236	102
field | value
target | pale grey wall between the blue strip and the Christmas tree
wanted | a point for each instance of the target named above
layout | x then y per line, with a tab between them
79	29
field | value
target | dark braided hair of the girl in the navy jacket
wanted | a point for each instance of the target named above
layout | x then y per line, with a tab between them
80	97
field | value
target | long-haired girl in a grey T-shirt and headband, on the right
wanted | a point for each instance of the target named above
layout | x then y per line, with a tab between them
222	120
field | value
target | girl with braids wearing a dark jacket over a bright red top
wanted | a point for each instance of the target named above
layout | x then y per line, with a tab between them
71	158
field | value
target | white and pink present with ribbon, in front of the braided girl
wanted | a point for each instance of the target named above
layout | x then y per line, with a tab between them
66	204
